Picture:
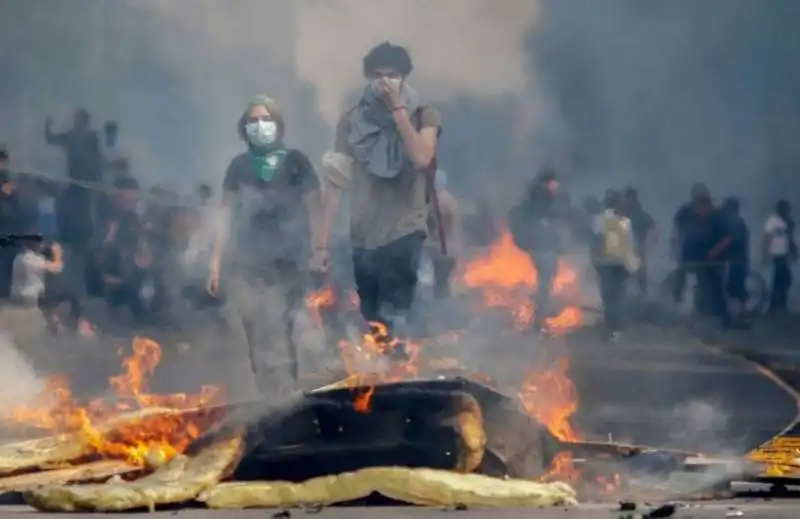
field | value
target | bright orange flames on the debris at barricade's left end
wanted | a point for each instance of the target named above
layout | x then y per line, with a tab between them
55	409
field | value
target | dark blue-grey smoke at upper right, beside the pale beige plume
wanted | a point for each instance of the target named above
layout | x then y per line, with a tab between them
661	94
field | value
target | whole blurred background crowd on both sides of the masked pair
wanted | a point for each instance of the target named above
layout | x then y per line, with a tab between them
142	252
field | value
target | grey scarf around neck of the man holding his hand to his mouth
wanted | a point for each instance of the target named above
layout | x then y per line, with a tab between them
373	136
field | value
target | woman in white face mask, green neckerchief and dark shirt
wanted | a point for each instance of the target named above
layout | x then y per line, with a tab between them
271	210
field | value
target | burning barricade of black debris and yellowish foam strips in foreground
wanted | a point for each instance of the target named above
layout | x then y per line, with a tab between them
417	441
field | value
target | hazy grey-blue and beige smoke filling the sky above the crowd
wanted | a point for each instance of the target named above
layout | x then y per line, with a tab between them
651	93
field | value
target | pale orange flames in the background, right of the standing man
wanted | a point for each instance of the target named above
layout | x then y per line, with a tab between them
507	277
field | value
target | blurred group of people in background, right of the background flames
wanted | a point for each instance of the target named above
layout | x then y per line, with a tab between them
709	241
